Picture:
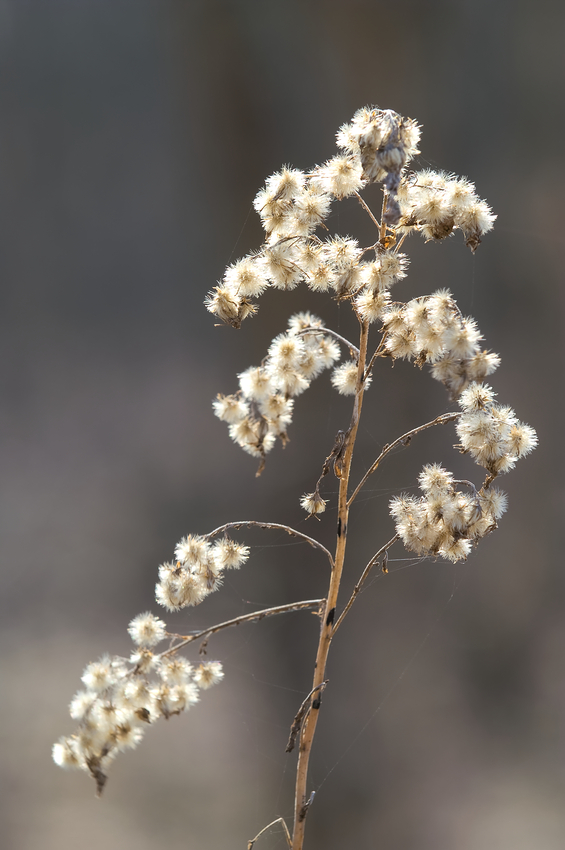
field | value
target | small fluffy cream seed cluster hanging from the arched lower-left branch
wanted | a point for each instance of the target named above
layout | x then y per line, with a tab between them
197	570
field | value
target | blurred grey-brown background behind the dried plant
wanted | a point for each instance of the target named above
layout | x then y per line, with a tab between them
135	135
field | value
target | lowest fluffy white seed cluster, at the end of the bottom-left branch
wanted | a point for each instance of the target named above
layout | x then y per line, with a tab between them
122	697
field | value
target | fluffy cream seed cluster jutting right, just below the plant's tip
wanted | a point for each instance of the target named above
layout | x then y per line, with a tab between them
435	203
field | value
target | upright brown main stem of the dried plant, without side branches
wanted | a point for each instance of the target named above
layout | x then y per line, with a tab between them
301	800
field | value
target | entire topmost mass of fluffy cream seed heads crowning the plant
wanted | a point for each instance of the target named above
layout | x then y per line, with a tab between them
377	146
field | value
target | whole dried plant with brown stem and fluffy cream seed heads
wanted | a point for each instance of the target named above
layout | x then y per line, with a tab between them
122	697
